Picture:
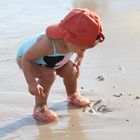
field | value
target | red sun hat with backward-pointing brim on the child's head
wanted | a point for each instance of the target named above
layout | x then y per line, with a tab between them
80	26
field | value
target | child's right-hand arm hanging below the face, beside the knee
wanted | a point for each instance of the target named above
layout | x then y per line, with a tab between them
78	62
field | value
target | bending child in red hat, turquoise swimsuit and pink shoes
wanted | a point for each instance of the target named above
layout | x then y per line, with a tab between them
48	54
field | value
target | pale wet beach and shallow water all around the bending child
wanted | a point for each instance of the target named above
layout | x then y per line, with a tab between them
110	72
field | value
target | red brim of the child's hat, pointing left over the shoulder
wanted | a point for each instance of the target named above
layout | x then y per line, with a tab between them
54	31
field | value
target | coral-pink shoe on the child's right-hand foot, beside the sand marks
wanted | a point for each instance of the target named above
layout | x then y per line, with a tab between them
78	100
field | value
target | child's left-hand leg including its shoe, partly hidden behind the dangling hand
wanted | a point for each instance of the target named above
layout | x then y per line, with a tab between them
46	77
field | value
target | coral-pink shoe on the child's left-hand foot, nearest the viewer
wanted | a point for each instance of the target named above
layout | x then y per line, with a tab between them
44	114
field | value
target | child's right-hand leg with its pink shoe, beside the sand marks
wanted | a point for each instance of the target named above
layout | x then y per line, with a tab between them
70	81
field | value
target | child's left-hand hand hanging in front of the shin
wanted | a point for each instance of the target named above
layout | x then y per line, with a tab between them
36	89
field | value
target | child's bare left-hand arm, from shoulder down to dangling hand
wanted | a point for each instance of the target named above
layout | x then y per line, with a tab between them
38	50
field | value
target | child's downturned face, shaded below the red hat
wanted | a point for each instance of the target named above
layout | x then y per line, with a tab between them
77	48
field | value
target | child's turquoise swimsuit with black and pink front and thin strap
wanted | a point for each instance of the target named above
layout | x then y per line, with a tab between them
55	60
